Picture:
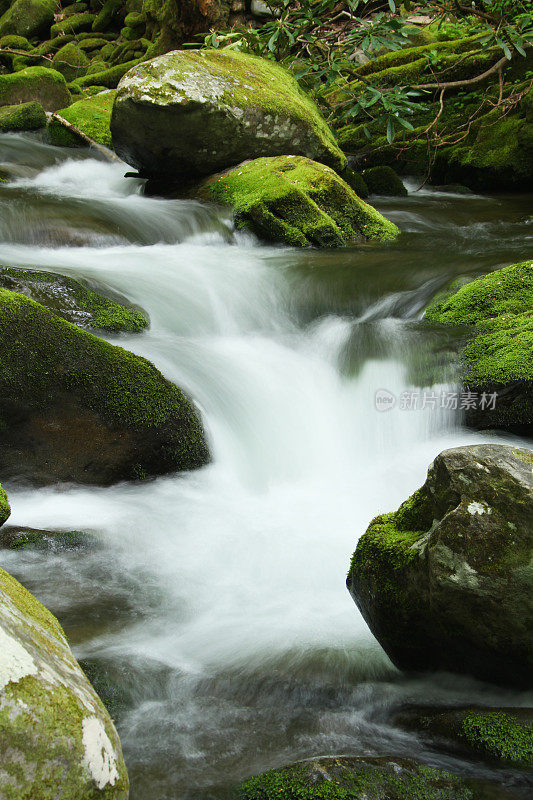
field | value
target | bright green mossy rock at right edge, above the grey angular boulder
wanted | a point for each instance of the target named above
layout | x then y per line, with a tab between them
496	311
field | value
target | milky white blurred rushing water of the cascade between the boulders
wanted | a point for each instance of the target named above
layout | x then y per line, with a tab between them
242	563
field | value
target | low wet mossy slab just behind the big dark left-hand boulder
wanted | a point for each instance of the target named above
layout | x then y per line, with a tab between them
75	300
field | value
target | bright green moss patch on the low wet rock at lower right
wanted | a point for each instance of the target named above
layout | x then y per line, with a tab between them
500	736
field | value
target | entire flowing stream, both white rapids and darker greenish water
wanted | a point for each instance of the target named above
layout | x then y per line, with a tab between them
210	610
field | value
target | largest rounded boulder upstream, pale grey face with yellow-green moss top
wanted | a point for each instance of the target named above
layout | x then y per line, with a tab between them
201	111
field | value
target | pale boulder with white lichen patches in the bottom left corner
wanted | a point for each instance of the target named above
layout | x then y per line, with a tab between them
57	739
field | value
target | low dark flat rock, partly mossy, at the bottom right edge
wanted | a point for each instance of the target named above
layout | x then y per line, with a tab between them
503	736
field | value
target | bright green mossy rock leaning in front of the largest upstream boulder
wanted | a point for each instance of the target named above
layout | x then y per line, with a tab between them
296	201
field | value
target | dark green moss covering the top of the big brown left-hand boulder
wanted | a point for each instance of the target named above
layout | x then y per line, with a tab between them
123	387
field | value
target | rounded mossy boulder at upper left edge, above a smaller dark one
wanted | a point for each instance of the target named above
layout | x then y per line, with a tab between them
45	86
